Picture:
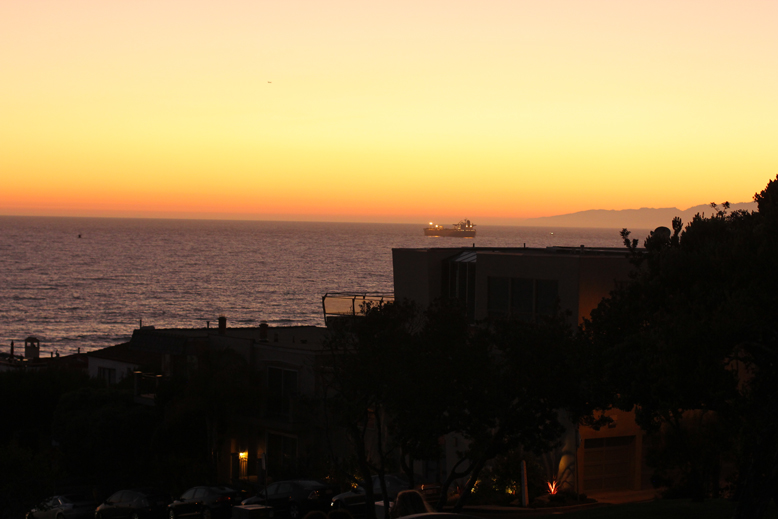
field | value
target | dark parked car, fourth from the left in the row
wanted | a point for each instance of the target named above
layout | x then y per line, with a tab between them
295	498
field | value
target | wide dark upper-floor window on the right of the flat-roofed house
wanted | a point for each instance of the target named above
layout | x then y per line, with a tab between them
522	297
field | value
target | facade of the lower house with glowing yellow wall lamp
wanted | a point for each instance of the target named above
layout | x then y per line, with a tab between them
283	439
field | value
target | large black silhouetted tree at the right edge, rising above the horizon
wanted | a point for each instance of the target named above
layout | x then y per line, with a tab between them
694	335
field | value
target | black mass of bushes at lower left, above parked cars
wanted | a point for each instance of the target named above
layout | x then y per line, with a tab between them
63	432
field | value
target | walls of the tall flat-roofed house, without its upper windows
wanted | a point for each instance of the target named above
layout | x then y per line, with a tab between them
587	460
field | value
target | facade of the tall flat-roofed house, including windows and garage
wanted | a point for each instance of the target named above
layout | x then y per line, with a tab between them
526	283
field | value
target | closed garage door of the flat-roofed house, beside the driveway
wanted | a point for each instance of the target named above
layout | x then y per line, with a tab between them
609	463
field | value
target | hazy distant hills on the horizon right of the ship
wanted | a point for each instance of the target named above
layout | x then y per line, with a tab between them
643	218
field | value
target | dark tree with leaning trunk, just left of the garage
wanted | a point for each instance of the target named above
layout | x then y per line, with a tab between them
533	372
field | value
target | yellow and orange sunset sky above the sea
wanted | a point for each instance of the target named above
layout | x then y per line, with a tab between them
396	111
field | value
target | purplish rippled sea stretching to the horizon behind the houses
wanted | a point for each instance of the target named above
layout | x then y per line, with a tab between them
93	291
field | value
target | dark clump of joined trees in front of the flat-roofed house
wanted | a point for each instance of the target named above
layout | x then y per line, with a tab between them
420	377
